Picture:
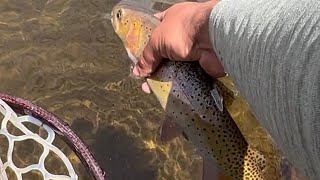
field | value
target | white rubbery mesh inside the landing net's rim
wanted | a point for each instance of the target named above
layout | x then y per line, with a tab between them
17	121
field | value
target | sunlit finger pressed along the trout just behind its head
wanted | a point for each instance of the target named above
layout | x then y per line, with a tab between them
151	55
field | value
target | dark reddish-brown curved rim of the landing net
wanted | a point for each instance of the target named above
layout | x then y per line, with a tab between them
62	128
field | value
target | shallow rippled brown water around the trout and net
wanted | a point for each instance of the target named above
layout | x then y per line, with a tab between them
62	56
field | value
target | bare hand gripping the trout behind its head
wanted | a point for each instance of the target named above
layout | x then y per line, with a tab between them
182	35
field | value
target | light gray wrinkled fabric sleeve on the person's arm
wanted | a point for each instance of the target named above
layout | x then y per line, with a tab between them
271	49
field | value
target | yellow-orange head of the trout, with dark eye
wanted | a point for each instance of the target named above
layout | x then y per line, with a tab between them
134	27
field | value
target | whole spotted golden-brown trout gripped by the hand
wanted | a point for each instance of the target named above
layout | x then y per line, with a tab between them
187	94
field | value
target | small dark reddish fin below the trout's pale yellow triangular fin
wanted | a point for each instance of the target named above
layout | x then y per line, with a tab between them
169	130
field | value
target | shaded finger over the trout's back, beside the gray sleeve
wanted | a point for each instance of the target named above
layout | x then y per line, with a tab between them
211	64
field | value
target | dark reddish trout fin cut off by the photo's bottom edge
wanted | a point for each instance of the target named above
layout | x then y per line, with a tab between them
212	172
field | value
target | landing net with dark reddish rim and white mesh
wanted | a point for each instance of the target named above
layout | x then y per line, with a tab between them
19	114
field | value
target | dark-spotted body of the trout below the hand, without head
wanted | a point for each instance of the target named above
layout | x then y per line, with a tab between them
214	133
